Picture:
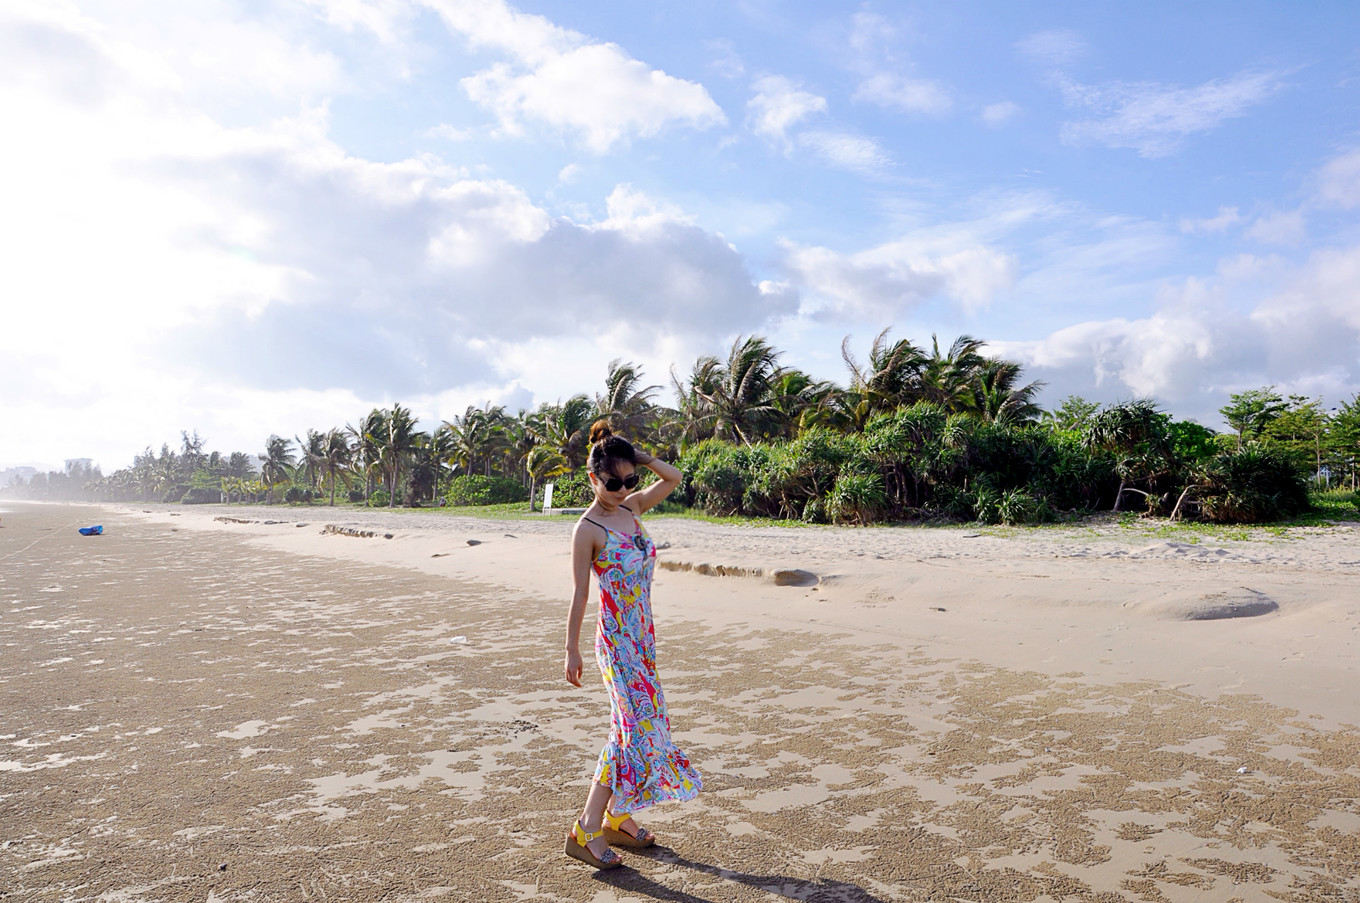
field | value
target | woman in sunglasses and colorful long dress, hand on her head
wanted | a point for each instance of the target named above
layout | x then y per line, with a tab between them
640	765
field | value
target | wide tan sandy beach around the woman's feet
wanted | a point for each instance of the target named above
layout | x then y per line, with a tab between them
194	711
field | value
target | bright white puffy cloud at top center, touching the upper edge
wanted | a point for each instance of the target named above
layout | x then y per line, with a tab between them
561	80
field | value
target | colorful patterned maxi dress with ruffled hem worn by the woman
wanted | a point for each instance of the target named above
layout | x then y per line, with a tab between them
640	764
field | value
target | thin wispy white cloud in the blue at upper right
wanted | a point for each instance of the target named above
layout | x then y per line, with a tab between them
1155	119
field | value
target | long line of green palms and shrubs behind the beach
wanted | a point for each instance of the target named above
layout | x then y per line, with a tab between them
917	432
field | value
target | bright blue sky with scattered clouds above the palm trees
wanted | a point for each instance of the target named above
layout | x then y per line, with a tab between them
251	218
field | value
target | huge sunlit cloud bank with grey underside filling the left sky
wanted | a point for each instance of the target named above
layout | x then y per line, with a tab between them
259	278
